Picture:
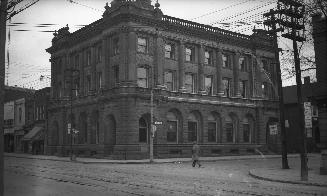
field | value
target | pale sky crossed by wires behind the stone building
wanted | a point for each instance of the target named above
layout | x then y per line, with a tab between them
26	45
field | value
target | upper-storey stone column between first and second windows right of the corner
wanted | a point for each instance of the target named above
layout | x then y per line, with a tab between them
159	62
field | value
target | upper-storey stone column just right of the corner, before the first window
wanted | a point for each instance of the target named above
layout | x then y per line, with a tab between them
131	68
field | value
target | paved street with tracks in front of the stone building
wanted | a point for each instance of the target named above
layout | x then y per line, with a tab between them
229	177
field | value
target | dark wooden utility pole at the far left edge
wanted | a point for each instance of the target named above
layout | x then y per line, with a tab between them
3	19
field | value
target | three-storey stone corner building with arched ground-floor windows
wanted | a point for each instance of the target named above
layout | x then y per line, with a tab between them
211	85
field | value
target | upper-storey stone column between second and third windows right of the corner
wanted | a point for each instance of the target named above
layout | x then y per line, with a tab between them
181	68
